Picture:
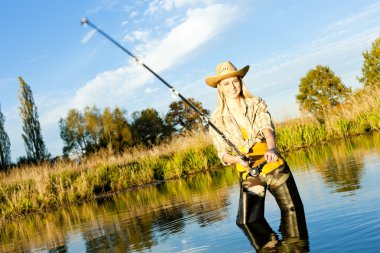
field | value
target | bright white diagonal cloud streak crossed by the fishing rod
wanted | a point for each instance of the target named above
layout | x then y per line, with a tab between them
115	86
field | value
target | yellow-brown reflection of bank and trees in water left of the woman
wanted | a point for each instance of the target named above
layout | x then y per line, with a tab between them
134	220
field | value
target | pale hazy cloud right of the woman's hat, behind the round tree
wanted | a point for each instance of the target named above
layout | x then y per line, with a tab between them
276	79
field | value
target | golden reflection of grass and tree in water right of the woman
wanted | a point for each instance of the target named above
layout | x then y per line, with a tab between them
341	164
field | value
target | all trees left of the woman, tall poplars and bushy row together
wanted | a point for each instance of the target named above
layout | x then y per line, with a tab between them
86	132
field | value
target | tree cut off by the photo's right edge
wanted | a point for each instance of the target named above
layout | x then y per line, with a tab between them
371	66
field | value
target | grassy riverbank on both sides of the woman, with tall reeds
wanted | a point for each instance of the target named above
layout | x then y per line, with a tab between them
38	188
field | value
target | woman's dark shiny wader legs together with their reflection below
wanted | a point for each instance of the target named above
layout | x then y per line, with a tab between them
293	228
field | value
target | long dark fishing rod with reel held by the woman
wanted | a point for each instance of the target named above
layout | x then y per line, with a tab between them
255	171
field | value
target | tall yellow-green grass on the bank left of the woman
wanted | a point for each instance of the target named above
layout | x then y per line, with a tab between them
37	188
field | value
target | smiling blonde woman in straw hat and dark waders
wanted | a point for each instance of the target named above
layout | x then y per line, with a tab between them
245	121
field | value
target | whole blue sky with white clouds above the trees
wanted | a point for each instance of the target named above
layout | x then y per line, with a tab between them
68	66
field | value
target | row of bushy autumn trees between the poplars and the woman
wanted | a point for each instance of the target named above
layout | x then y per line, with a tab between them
92	130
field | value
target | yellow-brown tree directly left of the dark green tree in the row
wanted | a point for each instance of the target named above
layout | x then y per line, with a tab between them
116	130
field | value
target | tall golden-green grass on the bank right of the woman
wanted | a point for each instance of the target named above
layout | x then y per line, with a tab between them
359	115
